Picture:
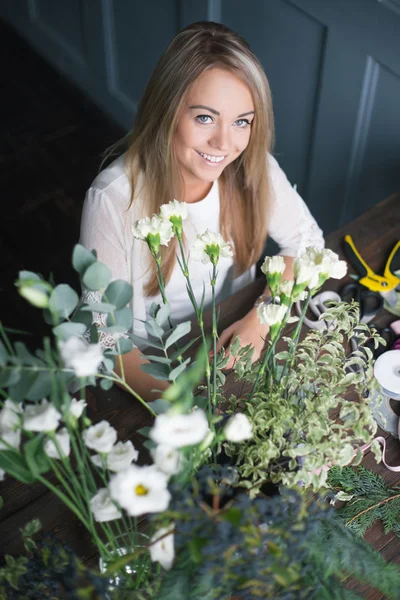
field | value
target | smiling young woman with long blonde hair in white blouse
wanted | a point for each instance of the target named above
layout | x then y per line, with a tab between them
203	135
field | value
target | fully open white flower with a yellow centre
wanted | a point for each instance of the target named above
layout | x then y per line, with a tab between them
140	490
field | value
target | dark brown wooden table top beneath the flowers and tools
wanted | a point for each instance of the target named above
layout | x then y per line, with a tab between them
374	234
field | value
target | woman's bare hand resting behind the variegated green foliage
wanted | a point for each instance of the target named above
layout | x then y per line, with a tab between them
249	330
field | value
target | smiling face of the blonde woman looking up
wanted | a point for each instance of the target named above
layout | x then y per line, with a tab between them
213	129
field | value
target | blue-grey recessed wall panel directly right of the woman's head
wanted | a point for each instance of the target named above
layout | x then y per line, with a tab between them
290	45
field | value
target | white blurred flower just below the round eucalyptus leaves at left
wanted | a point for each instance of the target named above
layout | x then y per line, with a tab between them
80	356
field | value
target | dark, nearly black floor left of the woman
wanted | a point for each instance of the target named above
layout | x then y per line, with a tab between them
52	140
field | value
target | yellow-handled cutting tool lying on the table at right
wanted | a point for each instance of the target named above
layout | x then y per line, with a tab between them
376	283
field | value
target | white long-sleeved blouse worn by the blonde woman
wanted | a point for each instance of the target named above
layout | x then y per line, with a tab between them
106	226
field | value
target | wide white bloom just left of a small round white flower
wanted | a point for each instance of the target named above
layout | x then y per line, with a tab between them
180	430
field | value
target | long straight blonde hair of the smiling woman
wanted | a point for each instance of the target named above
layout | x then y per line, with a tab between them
243	184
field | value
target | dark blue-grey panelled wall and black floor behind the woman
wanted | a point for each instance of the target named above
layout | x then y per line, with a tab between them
74	71
